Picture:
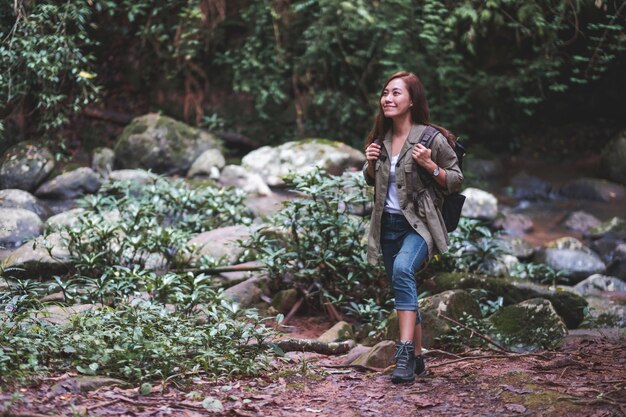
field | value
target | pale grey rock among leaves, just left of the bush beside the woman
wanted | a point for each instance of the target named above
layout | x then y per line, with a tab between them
220	243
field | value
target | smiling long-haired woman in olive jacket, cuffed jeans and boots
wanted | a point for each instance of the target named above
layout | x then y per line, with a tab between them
406	220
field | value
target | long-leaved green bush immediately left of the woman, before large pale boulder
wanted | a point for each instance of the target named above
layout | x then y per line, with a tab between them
316	244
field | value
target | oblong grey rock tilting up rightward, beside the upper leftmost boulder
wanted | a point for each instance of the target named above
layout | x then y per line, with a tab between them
70	185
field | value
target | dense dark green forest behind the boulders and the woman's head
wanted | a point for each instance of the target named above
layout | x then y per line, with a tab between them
498	72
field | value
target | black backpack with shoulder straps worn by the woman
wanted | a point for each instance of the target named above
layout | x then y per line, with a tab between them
453	203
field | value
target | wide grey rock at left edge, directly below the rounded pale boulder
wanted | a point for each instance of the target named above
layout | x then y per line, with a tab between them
34	261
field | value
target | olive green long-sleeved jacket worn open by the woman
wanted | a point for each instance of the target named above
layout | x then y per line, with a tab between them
424	216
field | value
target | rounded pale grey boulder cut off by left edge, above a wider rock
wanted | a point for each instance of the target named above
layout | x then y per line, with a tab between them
18	226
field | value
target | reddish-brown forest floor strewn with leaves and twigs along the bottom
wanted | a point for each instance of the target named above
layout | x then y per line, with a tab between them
585	377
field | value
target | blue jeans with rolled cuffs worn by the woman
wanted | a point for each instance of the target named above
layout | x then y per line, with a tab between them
404	251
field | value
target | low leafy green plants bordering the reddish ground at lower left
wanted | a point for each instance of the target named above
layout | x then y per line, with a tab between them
137	341
